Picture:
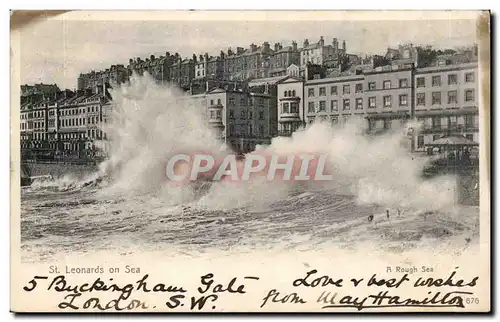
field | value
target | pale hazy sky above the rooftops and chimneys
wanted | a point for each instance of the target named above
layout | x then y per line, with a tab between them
59	49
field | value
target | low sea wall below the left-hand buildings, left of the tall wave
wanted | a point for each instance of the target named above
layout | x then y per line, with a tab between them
58	170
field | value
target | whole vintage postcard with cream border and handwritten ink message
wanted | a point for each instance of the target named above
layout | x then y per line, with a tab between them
250	161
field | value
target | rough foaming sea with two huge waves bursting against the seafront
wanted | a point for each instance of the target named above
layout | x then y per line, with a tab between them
126	207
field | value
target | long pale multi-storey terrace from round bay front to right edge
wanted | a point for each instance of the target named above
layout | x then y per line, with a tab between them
442	98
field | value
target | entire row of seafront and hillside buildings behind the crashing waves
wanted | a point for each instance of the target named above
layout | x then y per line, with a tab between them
251	95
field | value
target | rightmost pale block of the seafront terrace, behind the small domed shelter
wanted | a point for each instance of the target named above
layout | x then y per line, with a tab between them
446	102
